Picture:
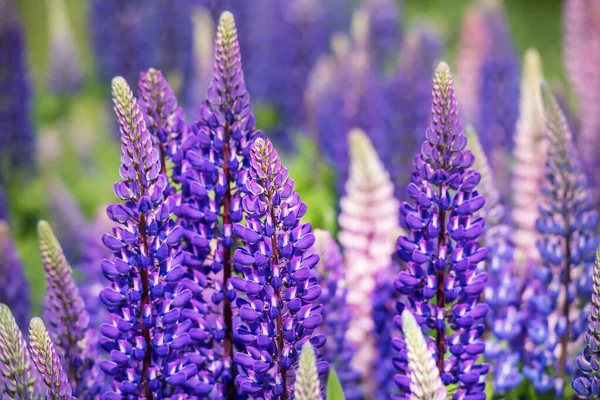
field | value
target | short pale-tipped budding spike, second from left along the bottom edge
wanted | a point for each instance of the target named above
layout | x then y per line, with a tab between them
46	361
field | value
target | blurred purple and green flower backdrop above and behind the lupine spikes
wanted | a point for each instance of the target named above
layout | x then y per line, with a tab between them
313	68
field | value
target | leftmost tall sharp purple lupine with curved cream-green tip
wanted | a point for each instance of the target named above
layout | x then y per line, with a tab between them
144	337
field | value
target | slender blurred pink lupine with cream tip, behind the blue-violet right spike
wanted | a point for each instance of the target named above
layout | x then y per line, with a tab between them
528	169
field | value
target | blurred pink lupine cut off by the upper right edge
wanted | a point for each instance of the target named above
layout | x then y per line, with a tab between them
582	54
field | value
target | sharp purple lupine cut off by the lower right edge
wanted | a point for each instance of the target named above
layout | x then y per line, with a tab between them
587	382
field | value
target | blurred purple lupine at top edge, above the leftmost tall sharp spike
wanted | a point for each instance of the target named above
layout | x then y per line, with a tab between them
124	37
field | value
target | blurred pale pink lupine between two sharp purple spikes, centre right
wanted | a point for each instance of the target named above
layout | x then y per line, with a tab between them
368	224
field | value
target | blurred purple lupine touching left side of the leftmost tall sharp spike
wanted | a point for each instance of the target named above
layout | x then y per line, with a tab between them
92	279
